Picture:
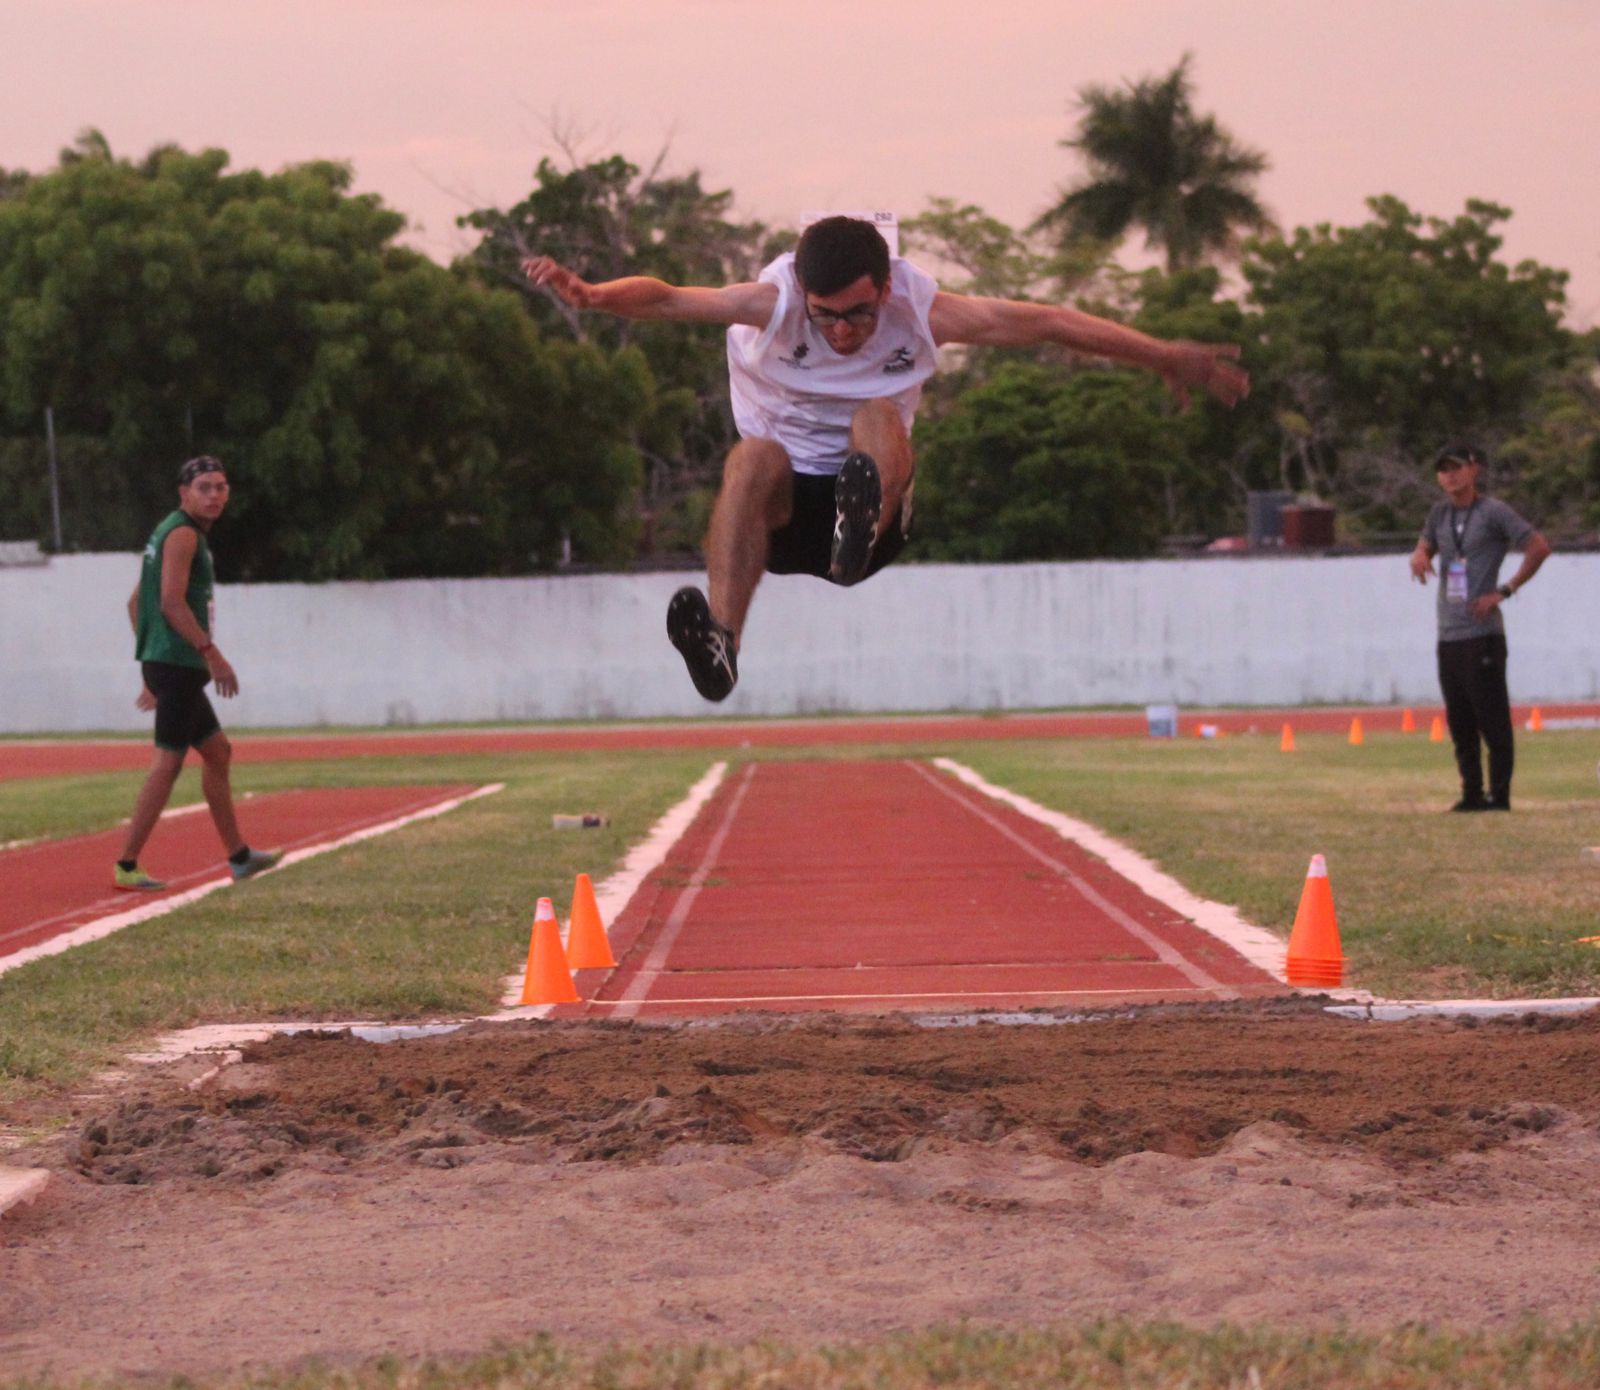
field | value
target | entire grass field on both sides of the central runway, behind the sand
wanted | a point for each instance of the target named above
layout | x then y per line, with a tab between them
428	922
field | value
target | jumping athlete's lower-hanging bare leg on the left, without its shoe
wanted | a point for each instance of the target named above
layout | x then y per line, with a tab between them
758	498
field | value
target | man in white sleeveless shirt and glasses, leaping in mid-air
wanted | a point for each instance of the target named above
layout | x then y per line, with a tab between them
828	354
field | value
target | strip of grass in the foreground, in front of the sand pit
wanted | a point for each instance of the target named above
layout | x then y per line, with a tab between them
1095	1357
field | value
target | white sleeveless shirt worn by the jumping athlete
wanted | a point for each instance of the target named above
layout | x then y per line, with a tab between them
793	388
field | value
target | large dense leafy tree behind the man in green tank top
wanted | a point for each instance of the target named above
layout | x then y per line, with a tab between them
380	413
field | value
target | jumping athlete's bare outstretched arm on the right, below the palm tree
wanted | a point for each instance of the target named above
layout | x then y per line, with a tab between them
1185	367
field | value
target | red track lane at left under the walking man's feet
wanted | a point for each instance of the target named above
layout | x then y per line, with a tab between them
57	887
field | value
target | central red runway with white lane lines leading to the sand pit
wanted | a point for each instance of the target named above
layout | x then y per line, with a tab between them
887	885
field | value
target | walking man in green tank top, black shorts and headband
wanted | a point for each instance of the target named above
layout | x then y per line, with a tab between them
172	621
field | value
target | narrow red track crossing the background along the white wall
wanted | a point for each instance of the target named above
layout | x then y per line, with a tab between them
54	759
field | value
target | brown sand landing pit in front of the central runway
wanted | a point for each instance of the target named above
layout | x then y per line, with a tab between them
812	1178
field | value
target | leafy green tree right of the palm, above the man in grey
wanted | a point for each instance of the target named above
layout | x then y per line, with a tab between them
1383	340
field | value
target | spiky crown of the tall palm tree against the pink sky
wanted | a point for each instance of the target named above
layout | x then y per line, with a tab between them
1158	166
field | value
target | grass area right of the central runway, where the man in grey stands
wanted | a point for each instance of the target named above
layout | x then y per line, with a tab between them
1430	905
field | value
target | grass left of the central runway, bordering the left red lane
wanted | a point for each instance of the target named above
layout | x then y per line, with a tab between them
418	924
